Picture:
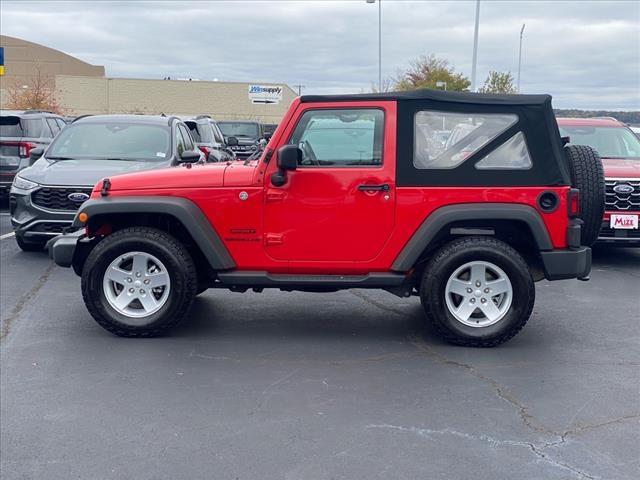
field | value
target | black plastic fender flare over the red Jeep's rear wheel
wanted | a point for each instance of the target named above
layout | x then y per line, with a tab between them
443	216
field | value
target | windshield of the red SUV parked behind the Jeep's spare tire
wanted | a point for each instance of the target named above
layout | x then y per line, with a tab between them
610	142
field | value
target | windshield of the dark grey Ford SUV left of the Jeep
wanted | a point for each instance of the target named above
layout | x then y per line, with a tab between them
112	140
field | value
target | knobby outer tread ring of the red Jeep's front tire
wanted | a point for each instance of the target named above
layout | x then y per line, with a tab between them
156	236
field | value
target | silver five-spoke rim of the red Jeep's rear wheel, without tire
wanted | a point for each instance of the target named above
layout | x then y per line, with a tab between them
478	294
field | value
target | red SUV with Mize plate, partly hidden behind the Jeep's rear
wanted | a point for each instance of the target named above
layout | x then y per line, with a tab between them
619	148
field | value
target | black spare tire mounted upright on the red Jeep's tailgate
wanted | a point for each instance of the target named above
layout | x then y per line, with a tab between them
587	175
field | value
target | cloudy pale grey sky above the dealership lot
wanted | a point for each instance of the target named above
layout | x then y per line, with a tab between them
584	53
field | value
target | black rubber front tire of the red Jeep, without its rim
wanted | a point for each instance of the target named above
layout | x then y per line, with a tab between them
168	250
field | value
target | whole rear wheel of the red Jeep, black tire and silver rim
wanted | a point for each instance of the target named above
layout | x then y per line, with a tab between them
477	292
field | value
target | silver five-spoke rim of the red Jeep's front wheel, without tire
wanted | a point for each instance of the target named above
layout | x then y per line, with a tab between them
136	285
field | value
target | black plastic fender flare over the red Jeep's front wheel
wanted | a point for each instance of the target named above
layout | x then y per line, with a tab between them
182	209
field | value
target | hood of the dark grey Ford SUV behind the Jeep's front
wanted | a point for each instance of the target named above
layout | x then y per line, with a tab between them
82	172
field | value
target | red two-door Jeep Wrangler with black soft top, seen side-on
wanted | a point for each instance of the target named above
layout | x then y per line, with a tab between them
352	191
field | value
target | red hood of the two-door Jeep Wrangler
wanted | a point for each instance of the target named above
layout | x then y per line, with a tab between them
171	179
